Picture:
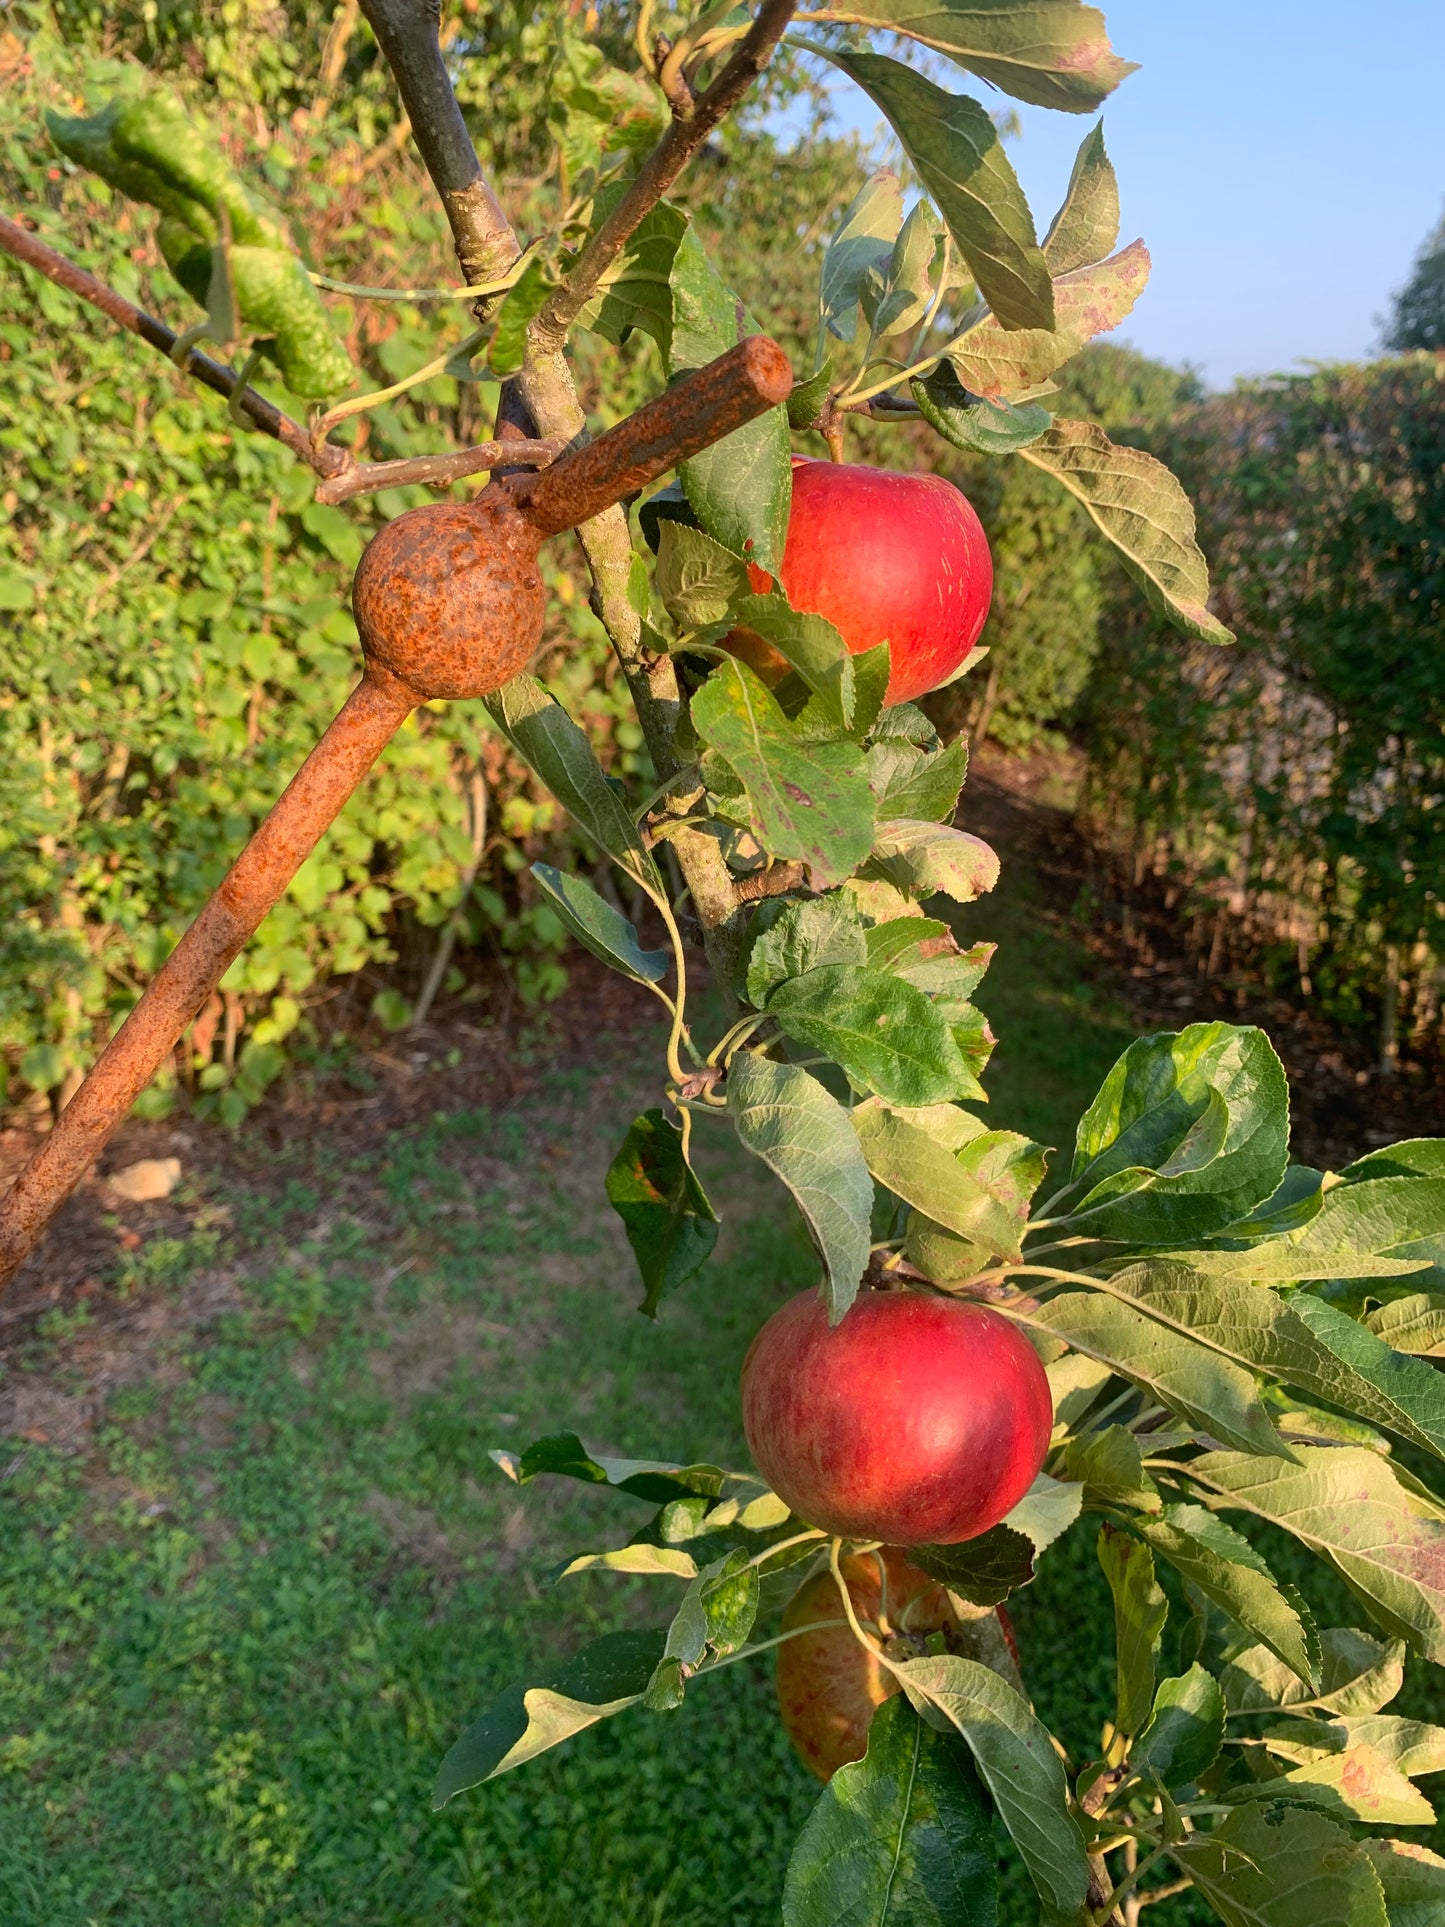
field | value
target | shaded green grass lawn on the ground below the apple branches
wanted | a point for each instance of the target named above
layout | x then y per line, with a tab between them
242	1625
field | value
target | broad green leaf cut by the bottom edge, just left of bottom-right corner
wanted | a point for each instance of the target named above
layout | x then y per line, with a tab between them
1282	1866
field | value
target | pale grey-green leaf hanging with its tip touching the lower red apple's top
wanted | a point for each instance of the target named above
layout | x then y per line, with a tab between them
806	1140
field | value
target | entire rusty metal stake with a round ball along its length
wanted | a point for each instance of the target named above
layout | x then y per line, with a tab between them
450	604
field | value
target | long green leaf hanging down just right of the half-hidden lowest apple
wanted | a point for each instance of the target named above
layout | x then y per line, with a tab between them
1018	1766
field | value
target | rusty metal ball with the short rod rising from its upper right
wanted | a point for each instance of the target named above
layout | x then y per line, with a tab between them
450	598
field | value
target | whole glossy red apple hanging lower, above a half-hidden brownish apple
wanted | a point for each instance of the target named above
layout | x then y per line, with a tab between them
916	1421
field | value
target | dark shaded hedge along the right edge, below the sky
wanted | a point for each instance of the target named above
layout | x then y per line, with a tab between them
1301	778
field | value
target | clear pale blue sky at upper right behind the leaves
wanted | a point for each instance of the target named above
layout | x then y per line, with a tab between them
1282	159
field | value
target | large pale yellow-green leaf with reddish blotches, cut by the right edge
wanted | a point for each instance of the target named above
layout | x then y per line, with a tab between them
1346	1504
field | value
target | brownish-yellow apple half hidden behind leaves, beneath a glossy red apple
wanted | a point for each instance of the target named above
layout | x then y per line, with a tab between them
831	1687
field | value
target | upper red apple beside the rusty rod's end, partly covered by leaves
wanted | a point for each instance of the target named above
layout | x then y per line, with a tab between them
885	558
